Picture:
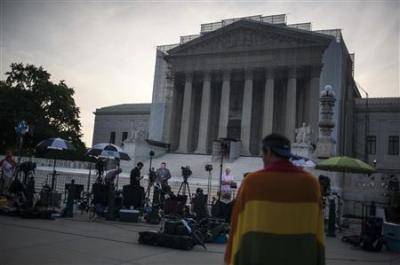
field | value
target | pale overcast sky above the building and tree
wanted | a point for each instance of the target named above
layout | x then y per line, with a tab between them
105	50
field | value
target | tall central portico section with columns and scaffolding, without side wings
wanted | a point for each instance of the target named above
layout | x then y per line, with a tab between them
245	78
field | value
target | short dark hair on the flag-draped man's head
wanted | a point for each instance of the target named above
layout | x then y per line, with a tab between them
278	144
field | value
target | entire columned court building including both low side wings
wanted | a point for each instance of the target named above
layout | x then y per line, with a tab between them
242	79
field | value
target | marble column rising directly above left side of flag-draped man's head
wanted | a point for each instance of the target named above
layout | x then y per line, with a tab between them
268	116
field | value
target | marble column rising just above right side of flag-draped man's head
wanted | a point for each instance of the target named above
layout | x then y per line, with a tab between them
290	124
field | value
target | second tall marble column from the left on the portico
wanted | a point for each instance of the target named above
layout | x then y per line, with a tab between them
204	115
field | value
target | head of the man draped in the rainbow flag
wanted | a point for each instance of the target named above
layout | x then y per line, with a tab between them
275	147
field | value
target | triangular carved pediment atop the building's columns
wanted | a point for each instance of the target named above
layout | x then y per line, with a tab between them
245	35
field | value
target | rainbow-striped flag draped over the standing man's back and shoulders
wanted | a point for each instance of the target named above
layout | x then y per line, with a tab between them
277	219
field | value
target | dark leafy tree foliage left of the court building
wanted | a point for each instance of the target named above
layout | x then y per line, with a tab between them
49	108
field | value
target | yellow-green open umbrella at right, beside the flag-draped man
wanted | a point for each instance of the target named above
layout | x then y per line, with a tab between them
345	164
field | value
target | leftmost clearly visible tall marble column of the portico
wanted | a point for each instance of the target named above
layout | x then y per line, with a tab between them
186	115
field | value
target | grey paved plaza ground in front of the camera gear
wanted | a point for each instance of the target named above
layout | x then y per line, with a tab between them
78	241
